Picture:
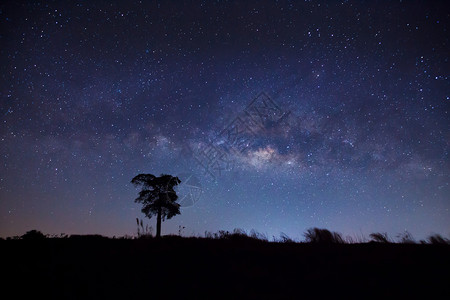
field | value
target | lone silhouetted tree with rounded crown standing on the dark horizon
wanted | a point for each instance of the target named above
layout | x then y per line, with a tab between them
158	197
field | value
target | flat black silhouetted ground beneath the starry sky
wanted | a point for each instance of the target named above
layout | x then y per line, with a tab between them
173	267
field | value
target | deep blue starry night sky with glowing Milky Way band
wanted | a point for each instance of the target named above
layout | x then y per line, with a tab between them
280	115
